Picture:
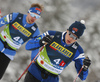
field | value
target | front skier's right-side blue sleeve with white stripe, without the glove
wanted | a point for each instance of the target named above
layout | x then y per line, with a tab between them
79	57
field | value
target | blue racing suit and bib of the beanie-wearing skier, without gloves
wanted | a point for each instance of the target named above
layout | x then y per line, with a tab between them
55	57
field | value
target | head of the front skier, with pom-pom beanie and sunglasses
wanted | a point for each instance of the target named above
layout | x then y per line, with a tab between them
75	31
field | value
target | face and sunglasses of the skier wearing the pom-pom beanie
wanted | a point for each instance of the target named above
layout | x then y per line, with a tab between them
70	37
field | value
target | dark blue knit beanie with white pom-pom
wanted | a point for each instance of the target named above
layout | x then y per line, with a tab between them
77	28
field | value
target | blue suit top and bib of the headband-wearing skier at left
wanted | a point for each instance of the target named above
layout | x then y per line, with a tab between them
16	33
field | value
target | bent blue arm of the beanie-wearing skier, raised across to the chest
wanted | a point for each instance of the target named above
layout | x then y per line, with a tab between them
36	42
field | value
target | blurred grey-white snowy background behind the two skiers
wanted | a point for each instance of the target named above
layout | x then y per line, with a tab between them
59	15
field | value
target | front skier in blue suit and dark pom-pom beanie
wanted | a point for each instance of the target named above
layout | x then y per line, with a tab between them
61	50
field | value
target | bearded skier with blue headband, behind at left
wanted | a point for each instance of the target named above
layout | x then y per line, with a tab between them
19	29
